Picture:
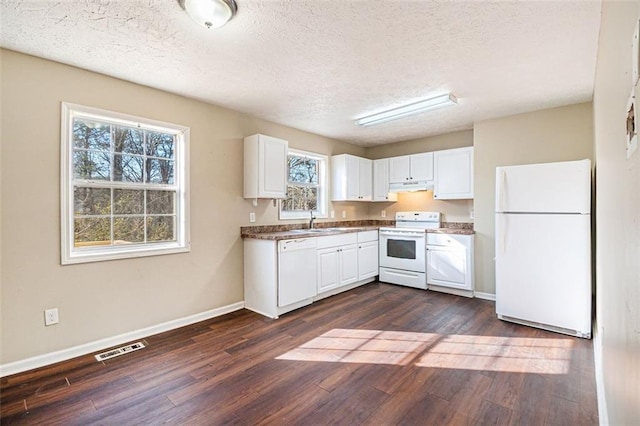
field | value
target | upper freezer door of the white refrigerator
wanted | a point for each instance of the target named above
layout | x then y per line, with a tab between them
544	188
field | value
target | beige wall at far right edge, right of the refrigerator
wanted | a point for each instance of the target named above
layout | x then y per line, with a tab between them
617	339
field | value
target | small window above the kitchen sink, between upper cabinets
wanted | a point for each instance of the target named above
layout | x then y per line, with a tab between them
306	186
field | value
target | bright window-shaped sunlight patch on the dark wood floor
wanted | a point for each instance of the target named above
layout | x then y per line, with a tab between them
489	353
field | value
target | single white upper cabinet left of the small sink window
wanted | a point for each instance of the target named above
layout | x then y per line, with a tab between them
265	167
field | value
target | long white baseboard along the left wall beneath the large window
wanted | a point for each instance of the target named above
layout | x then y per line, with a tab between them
98	345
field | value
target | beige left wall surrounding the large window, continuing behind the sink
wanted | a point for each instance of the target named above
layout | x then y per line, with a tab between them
105	299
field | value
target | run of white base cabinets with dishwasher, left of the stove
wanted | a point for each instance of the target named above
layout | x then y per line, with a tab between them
280	276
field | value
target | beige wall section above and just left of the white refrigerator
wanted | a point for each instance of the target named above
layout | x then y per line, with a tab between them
558	134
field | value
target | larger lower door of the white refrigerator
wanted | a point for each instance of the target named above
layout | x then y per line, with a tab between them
543	269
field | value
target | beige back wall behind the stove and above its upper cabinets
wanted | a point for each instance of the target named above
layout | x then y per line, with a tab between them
453	210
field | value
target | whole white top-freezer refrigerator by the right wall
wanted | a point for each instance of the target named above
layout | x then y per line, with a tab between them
543	246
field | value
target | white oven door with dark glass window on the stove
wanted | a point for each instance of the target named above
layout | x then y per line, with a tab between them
402	250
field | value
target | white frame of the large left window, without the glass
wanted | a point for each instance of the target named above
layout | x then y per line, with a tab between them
70	254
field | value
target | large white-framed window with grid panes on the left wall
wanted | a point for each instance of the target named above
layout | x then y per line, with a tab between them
124	186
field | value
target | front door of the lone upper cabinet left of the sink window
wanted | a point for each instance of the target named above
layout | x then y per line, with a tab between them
272	182
